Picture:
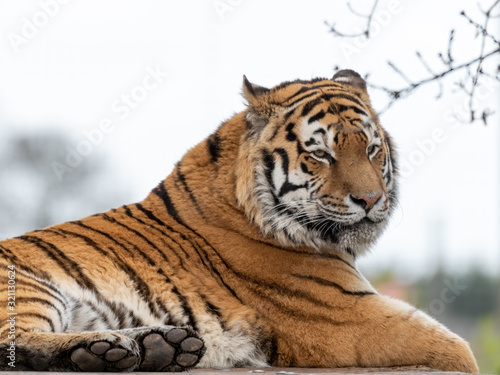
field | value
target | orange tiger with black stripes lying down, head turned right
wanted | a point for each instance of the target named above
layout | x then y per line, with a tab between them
244	256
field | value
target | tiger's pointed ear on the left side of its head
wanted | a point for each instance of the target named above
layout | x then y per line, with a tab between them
258	106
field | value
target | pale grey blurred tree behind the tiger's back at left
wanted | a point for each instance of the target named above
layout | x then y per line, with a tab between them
39	197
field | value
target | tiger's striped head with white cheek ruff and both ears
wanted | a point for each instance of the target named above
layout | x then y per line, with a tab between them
315	167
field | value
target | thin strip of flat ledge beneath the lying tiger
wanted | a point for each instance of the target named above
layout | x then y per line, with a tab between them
407	370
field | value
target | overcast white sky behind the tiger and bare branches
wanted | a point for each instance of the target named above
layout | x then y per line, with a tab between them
73	70
